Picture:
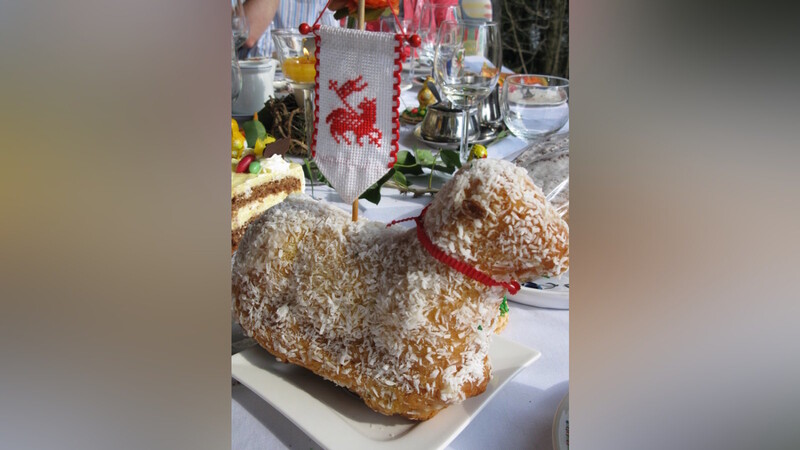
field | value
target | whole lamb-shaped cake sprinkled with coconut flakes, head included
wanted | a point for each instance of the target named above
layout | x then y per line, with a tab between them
369	308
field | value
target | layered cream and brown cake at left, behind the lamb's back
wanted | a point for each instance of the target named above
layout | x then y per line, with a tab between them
257	185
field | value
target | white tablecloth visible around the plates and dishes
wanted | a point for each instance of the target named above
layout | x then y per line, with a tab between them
520	416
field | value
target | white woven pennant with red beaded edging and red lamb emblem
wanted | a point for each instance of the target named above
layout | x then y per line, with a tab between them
356	122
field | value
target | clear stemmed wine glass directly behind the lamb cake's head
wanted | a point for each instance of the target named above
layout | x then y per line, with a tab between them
466	66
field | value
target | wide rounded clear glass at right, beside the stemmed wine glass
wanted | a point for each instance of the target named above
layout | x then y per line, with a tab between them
535	106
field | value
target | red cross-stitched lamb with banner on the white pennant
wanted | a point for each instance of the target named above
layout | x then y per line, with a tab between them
347	119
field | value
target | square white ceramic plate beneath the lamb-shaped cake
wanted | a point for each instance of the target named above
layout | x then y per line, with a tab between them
338	419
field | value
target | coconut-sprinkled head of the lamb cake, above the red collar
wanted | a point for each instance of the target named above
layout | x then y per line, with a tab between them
491	215
